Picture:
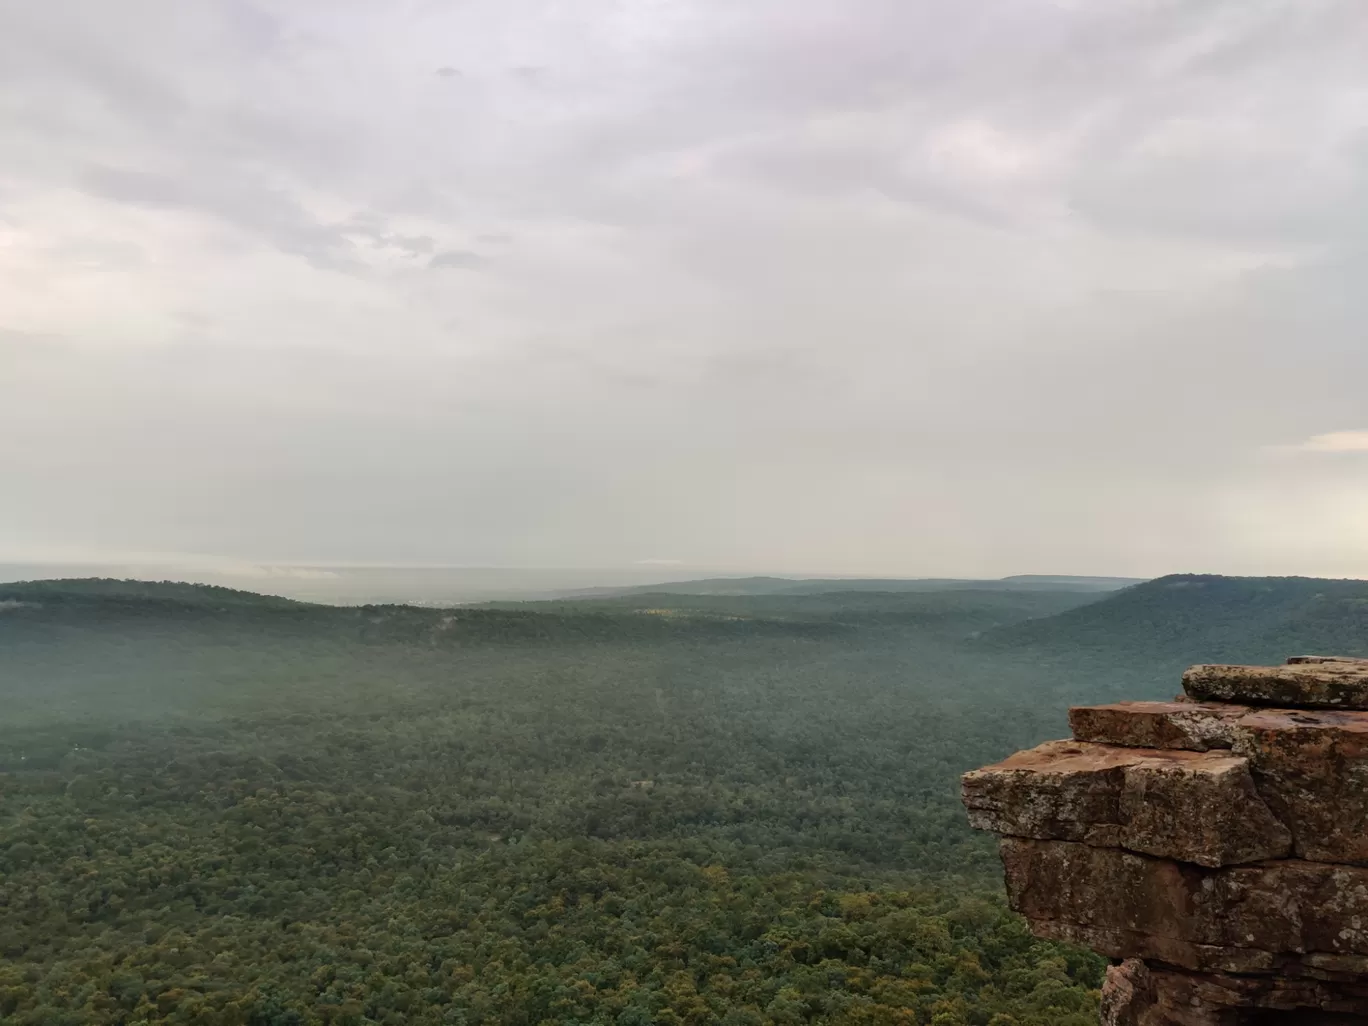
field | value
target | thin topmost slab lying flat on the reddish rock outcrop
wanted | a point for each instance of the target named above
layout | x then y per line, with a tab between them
1308	683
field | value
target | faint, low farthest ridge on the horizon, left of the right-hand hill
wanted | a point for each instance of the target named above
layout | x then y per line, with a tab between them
821	586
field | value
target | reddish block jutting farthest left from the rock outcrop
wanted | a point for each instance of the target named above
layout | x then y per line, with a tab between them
1183	805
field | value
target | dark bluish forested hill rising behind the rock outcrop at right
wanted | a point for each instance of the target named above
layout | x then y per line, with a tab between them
1185	619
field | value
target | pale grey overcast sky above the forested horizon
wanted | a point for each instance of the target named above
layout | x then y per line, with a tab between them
906	288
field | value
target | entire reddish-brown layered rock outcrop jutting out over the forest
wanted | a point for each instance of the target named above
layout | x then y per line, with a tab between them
1214	847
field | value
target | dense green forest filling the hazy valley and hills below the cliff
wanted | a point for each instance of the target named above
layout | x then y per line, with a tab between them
220	808
